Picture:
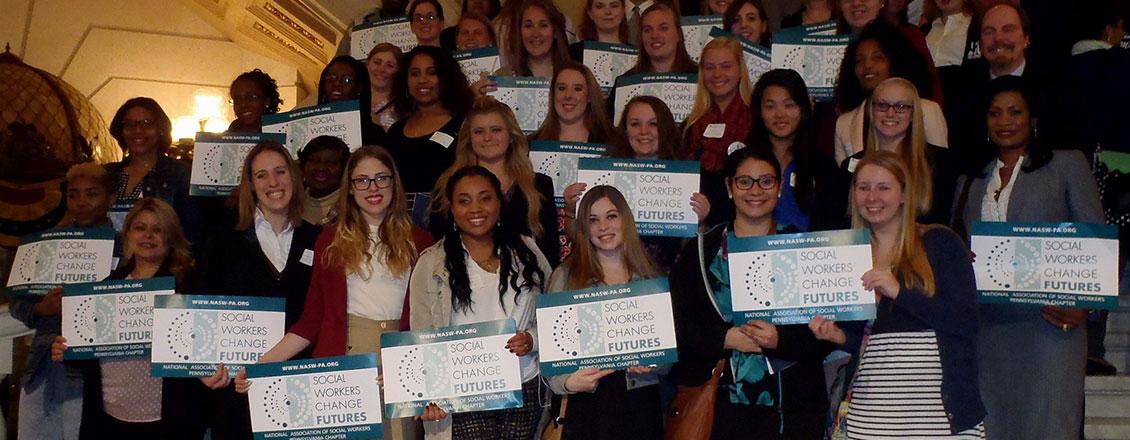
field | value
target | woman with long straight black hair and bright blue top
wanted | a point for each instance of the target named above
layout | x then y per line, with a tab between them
812	192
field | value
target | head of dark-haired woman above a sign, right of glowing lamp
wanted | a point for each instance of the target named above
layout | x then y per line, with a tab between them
254	94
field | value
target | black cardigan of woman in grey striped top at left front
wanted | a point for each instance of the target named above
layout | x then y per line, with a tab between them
181	400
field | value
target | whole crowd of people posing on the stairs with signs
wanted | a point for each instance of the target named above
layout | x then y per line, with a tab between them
441	220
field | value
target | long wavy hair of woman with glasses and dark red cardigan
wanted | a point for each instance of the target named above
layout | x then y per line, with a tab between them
351	247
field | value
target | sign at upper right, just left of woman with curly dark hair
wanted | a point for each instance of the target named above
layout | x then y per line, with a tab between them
816	58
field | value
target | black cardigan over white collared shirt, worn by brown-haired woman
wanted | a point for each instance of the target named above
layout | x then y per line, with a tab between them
236	265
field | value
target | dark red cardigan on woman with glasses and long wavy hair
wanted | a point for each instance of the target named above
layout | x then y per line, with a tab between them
324	320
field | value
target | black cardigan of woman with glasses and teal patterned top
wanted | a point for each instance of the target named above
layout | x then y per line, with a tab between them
701	333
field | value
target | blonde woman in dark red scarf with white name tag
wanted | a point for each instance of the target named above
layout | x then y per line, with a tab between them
723	100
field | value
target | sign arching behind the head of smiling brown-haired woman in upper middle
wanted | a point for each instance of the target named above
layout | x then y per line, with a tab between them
679	91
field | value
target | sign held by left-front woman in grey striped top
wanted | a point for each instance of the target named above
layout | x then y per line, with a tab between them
111	318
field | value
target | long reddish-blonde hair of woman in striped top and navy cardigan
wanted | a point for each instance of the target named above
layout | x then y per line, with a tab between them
910	264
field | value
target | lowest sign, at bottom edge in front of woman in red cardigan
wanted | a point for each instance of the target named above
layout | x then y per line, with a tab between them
316	400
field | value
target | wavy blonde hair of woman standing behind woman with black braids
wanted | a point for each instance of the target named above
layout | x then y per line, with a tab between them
518	162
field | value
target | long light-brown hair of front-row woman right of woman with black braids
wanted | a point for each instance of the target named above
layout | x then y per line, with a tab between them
583	265
